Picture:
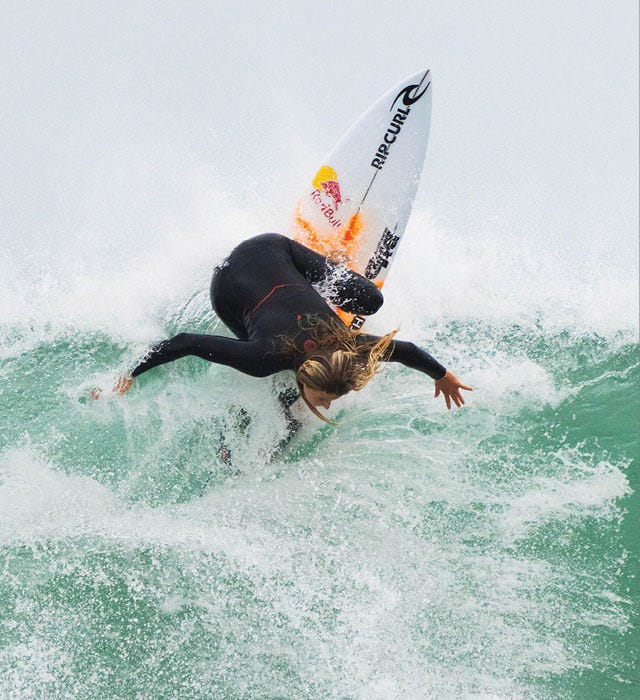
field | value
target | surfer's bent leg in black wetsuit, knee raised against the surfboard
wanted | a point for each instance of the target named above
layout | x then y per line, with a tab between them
350	291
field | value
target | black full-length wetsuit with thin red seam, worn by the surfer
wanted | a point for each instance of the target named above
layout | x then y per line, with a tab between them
263	292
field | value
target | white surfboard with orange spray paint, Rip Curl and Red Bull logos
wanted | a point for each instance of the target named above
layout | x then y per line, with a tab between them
356	206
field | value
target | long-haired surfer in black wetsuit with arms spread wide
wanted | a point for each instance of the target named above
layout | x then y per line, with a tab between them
263	292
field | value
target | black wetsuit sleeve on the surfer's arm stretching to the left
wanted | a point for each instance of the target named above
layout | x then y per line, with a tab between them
248	357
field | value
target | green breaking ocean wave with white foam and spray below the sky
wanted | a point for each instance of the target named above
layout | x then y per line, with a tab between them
408	552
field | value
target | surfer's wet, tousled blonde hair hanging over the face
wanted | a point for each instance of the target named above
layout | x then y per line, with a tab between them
339	363
